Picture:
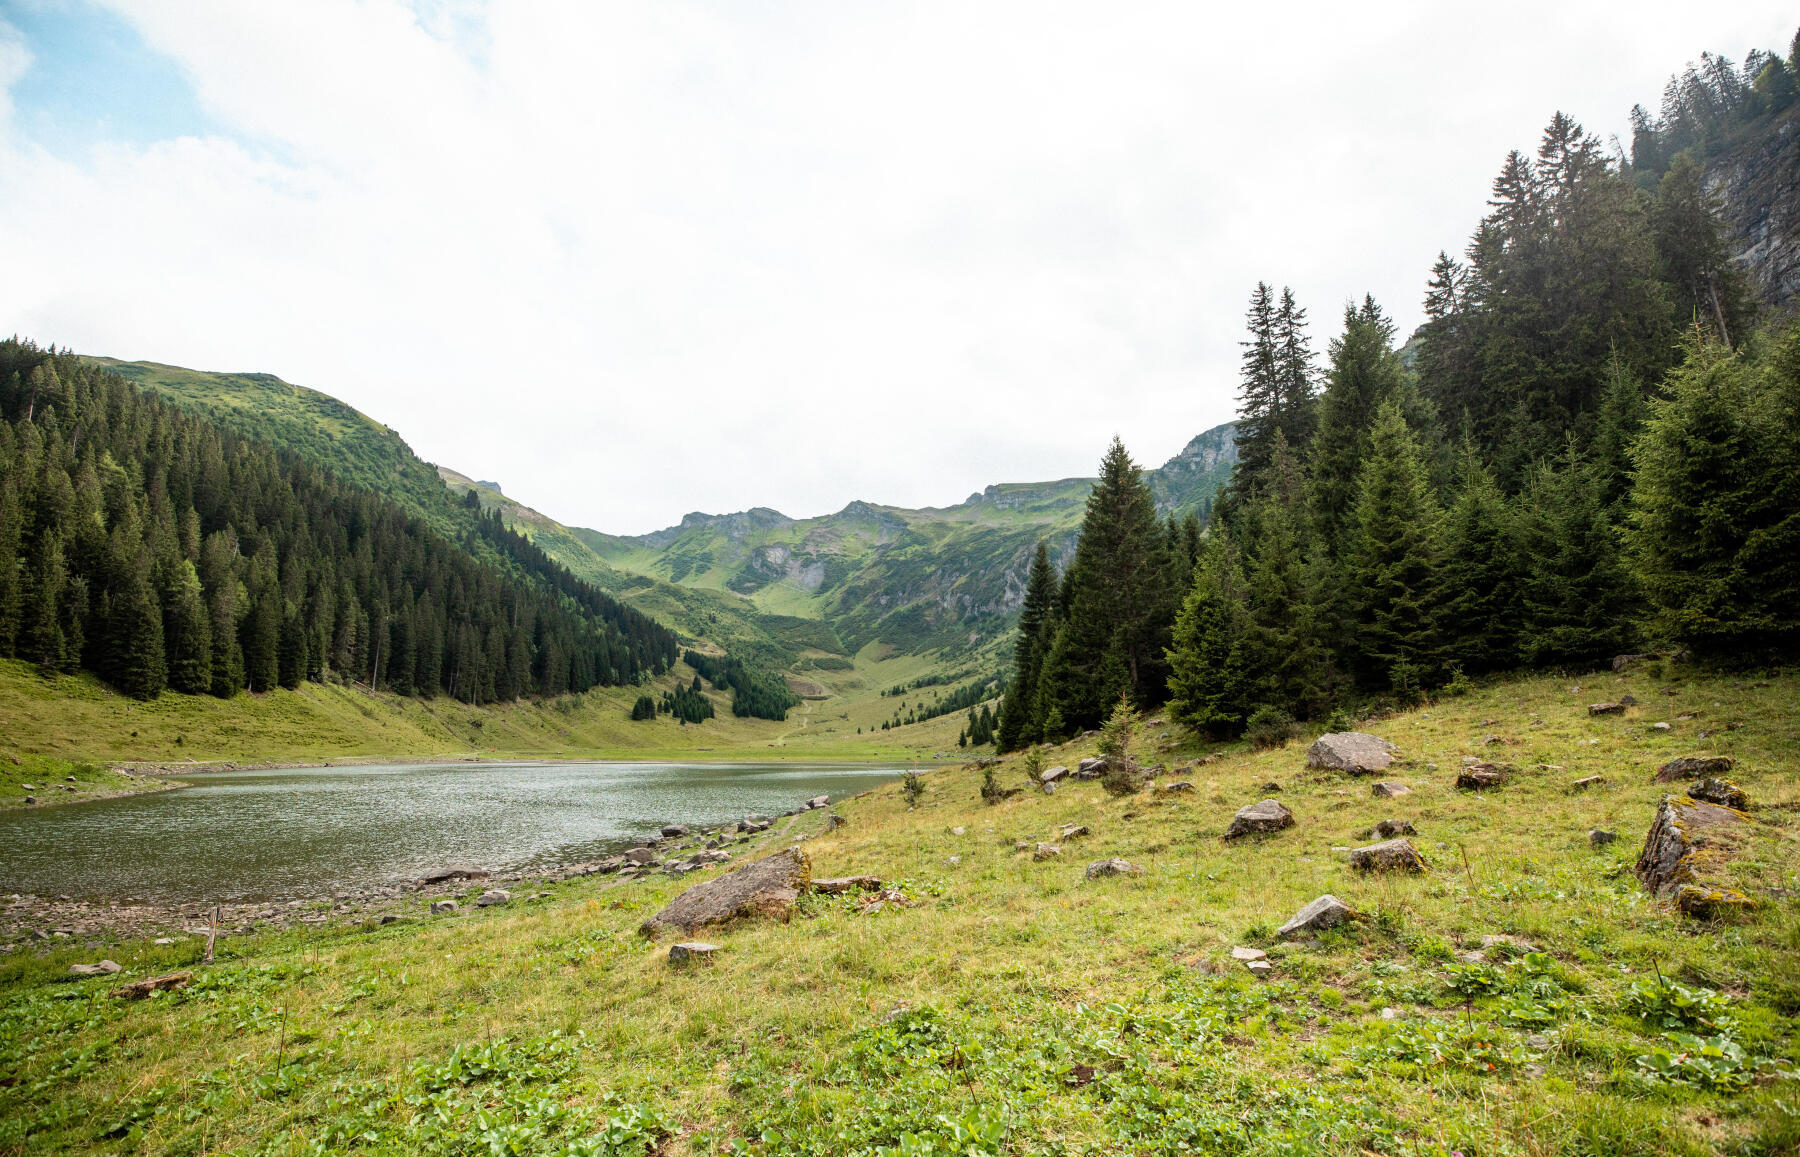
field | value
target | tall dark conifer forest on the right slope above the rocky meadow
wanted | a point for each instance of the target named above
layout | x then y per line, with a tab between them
1590	449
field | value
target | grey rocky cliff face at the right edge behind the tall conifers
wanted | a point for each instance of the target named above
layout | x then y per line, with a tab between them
1759	186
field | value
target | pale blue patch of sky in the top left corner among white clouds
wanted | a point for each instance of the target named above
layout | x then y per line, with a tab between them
93	80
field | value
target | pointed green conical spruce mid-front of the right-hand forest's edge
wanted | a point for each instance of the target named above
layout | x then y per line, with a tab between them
1394	559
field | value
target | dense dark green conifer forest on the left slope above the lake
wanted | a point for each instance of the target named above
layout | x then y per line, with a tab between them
161	552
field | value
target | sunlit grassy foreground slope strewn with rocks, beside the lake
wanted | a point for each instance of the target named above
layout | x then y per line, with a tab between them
1520	996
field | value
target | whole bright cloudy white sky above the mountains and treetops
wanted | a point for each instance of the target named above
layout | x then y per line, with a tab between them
640	260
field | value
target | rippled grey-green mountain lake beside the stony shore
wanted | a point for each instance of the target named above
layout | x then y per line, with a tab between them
312	832
